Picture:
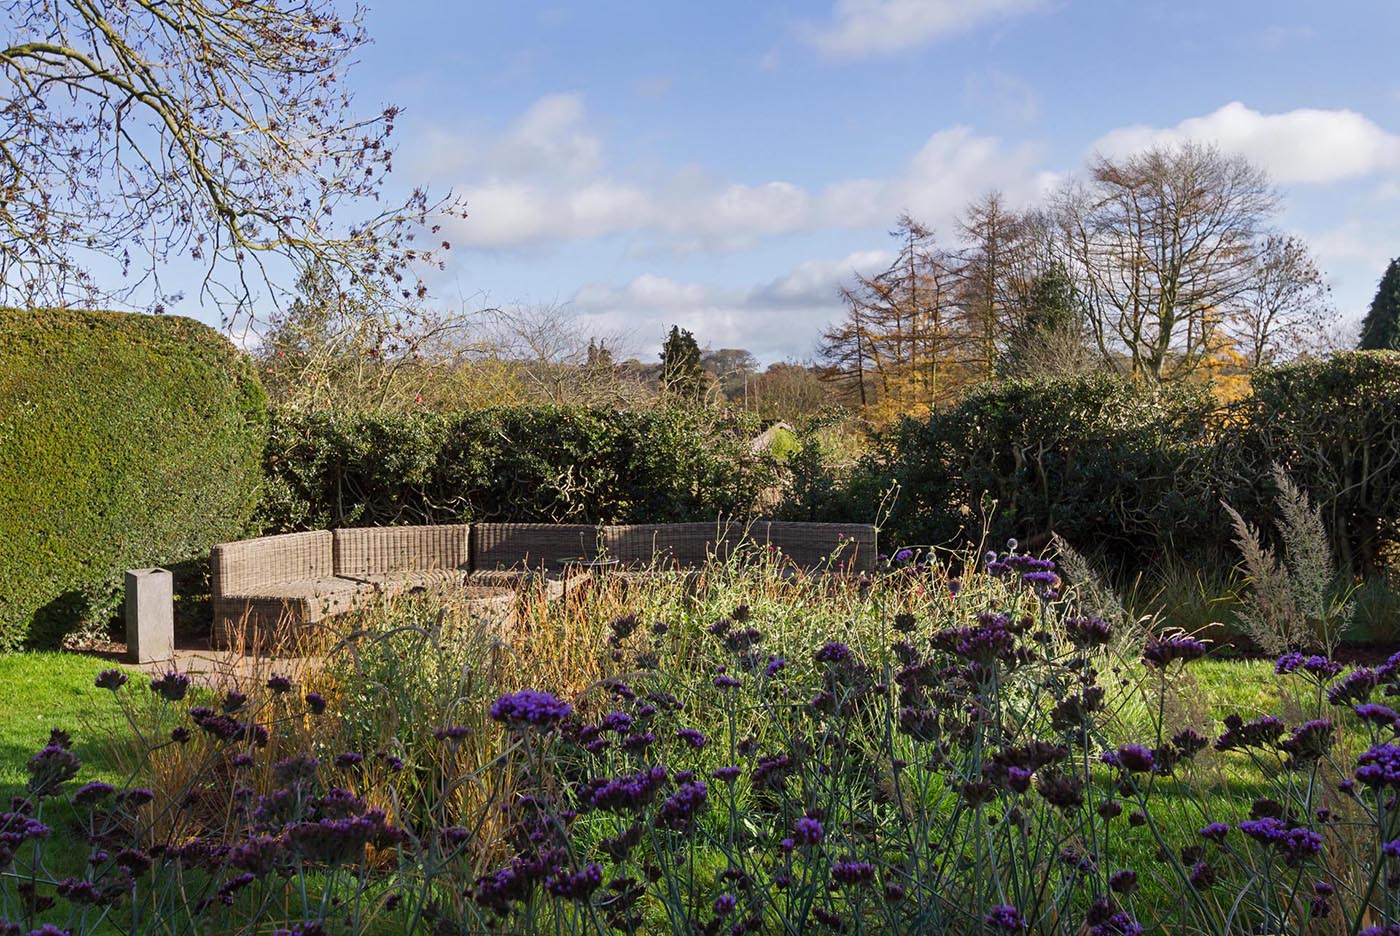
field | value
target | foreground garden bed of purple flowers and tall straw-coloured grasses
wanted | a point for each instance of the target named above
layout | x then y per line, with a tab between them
757	755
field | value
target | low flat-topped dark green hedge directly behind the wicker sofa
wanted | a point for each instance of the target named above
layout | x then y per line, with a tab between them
528	464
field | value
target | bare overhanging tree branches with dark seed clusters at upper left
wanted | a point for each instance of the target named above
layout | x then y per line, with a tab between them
142	132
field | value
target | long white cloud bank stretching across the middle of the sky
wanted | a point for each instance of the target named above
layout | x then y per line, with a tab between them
547	181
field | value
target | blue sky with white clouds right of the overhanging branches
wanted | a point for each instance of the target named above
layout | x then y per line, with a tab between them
723	166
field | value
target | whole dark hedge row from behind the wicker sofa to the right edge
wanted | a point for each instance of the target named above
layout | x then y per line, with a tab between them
1129	472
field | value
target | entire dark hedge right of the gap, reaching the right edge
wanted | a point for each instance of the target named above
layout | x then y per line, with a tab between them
1136	474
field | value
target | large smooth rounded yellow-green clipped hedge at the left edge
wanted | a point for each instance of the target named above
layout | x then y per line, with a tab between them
125	441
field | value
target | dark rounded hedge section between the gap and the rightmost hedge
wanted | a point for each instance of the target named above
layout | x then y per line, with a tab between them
1115	468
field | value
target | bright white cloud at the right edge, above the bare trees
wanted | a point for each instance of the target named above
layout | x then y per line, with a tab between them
1304	146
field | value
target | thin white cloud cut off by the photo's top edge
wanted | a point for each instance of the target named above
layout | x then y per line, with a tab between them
862	29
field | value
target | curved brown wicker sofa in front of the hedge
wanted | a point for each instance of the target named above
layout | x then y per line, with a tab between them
309	577
